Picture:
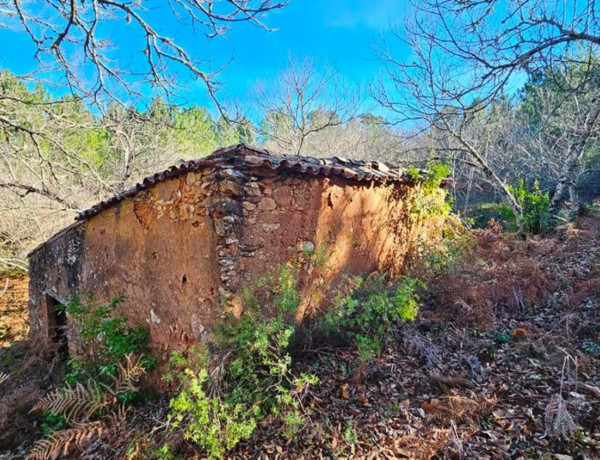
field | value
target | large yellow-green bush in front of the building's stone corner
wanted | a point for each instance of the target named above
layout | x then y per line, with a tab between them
248	375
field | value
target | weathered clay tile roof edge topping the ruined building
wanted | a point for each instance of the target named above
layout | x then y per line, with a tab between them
246	157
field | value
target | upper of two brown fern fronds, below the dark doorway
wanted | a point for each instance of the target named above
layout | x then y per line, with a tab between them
76	404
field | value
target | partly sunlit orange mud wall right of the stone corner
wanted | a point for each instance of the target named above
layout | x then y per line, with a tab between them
354	228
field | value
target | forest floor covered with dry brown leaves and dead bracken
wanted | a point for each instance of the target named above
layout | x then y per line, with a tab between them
503	362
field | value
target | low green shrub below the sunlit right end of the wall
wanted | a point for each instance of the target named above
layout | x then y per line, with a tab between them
367	315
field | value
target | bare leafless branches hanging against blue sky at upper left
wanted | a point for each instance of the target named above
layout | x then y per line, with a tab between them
73	41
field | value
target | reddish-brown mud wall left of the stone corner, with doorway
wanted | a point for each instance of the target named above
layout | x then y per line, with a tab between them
157	250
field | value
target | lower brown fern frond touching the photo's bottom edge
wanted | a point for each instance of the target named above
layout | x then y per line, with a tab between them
59	443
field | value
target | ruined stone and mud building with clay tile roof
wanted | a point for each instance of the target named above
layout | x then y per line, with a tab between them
181	245
